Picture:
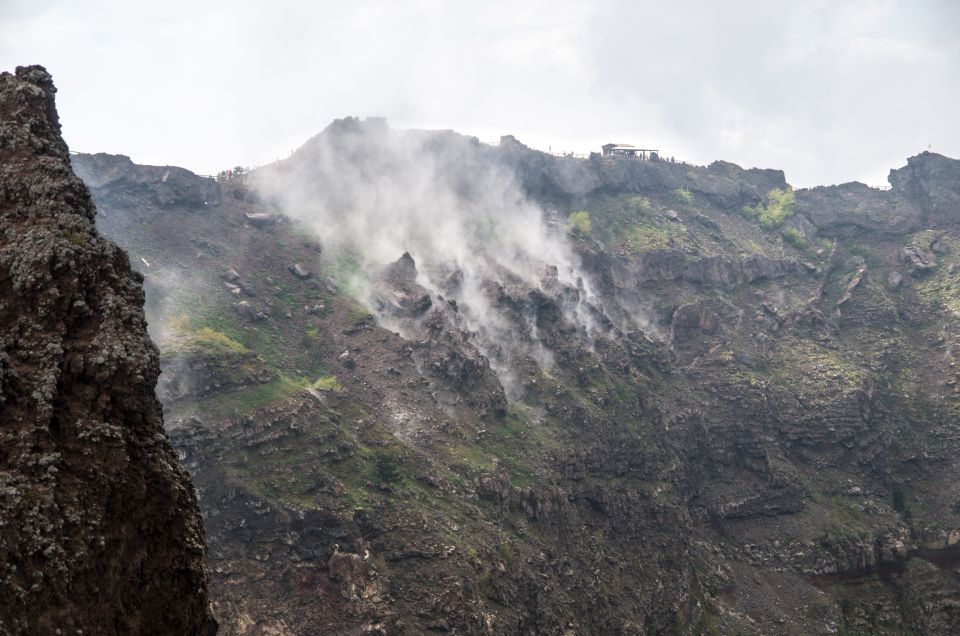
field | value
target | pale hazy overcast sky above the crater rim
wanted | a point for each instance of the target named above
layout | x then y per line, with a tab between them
829	91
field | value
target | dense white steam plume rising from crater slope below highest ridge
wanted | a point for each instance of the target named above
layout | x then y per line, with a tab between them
446	200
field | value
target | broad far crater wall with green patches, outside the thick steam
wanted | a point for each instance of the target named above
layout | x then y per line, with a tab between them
742	420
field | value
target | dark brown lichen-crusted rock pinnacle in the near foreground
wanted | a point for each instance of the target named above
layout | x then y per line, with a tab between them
99	527
